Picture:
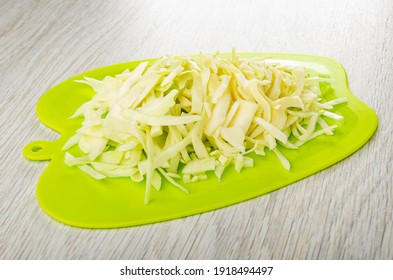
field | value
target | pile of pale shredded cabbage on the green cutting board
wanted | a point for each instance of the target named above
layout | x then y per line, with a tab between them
179	117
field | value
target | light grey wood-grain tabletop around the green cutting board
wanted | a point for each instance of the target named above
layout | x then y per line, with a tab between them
344	212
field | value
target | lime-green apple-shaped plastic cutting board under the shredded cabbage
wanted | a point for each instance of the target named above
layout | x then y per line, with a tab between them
72	197
